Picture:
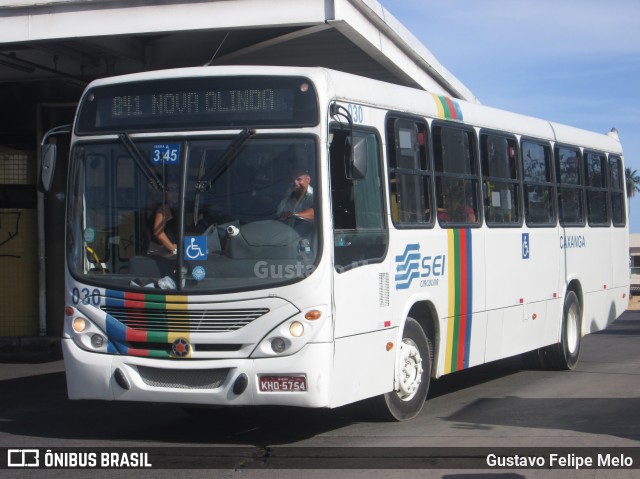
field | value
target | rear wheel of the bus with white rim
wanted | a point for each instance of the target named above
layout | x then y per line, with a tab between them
564	355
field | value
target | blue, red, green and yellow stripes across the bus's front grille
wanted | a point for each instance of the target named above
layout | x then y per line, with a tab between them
137	304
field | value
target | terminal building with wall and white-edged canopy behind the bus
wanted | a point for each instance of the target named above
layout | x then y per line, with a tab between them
51	49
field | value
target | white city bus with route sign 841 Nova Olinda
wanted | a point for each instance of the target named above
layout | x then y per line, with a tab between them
299	236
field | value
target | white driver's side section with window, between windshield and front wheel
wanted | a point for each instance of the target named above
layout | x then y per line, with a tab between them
362	367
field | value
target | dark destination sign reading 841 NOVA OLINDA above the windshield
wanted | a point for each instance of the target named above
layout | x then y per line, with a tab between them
198	103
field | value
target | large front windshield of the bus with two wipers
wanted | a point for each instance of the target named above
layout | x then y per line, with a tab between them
195	216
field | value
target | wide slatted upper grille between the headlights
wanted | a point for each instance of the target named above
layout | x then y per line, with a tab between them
201	321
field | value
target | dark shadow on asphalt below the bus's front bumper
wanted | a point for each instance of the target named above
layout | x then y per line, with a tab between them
37	406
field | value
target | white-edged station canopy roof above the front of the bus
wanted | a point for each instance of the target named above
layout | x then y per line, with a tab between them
77	41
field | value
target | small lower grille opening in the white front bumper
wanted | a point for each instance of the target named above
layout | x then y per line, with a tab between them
183	378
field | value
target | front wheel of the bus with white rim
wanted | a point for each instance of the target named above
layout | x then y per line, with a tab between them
414	373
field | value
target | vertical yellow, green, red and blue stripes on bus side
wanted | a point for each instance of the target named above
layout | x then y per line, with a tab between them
460	273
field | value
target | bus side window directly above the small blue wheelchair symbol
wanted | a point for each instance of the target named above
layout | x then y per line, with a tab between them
539	195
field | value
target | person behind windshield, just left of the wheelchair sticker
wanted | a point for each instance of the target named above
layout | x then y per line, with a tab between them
164	225
